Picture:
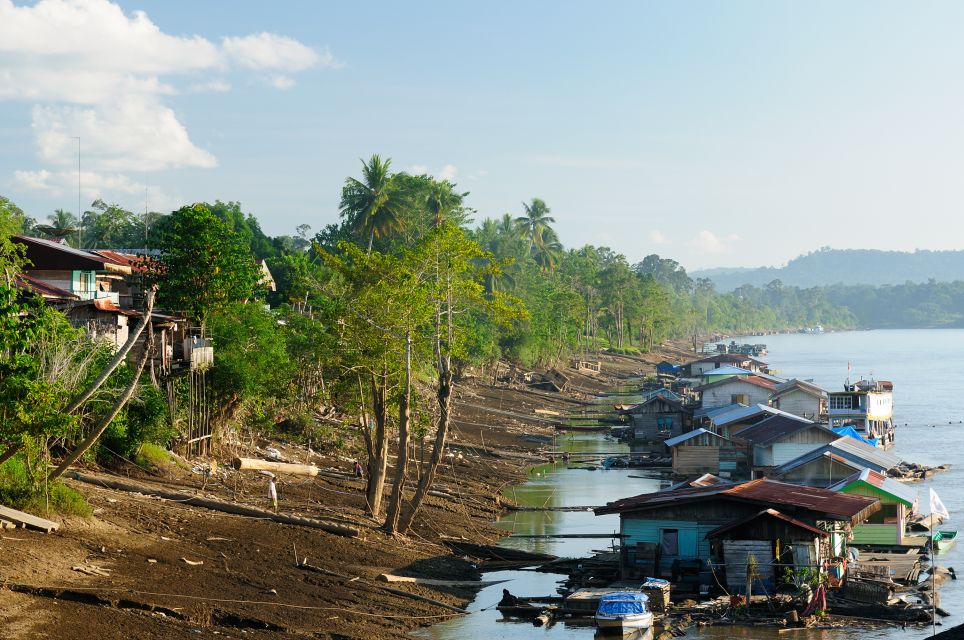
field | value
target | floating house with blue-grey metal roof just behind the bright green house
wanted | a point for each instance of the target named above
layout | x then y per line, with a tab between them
832	462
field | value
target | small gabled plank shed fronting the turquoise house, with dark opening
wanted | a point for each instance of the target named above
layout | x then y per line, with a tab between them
777	543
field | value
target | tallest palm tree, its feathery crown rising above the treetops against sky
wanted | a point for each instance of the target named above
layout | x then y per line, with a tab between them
374	205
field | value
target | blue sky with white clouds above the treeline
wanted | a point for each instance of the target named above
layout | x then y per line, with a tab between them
715	133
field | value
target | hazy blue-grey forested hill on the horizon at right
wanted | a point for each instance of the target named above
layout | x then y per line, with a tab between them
848	266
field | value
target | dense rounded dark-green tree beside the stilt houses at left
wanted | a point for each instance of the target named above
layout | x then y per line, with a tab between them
203	264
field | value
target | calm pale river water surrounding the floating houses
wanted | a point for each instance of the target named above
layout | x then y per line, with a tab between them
925	367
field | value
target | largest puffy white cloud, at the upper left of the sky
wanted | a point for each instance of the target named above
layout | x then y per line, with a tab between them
94	71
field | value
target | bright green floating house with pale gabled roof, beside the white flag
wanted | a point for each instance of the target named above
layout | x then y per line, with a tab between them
887	526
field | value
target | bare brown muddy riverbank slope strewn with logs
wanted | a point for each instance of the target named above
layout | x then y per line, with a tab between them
152	568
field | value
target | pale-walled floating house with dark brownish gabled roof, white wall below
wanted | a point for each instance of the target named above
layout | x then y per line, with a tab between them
782	438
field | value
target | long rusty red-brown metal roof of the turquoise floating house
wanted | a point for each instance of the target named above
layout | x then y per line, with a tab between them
762	491
